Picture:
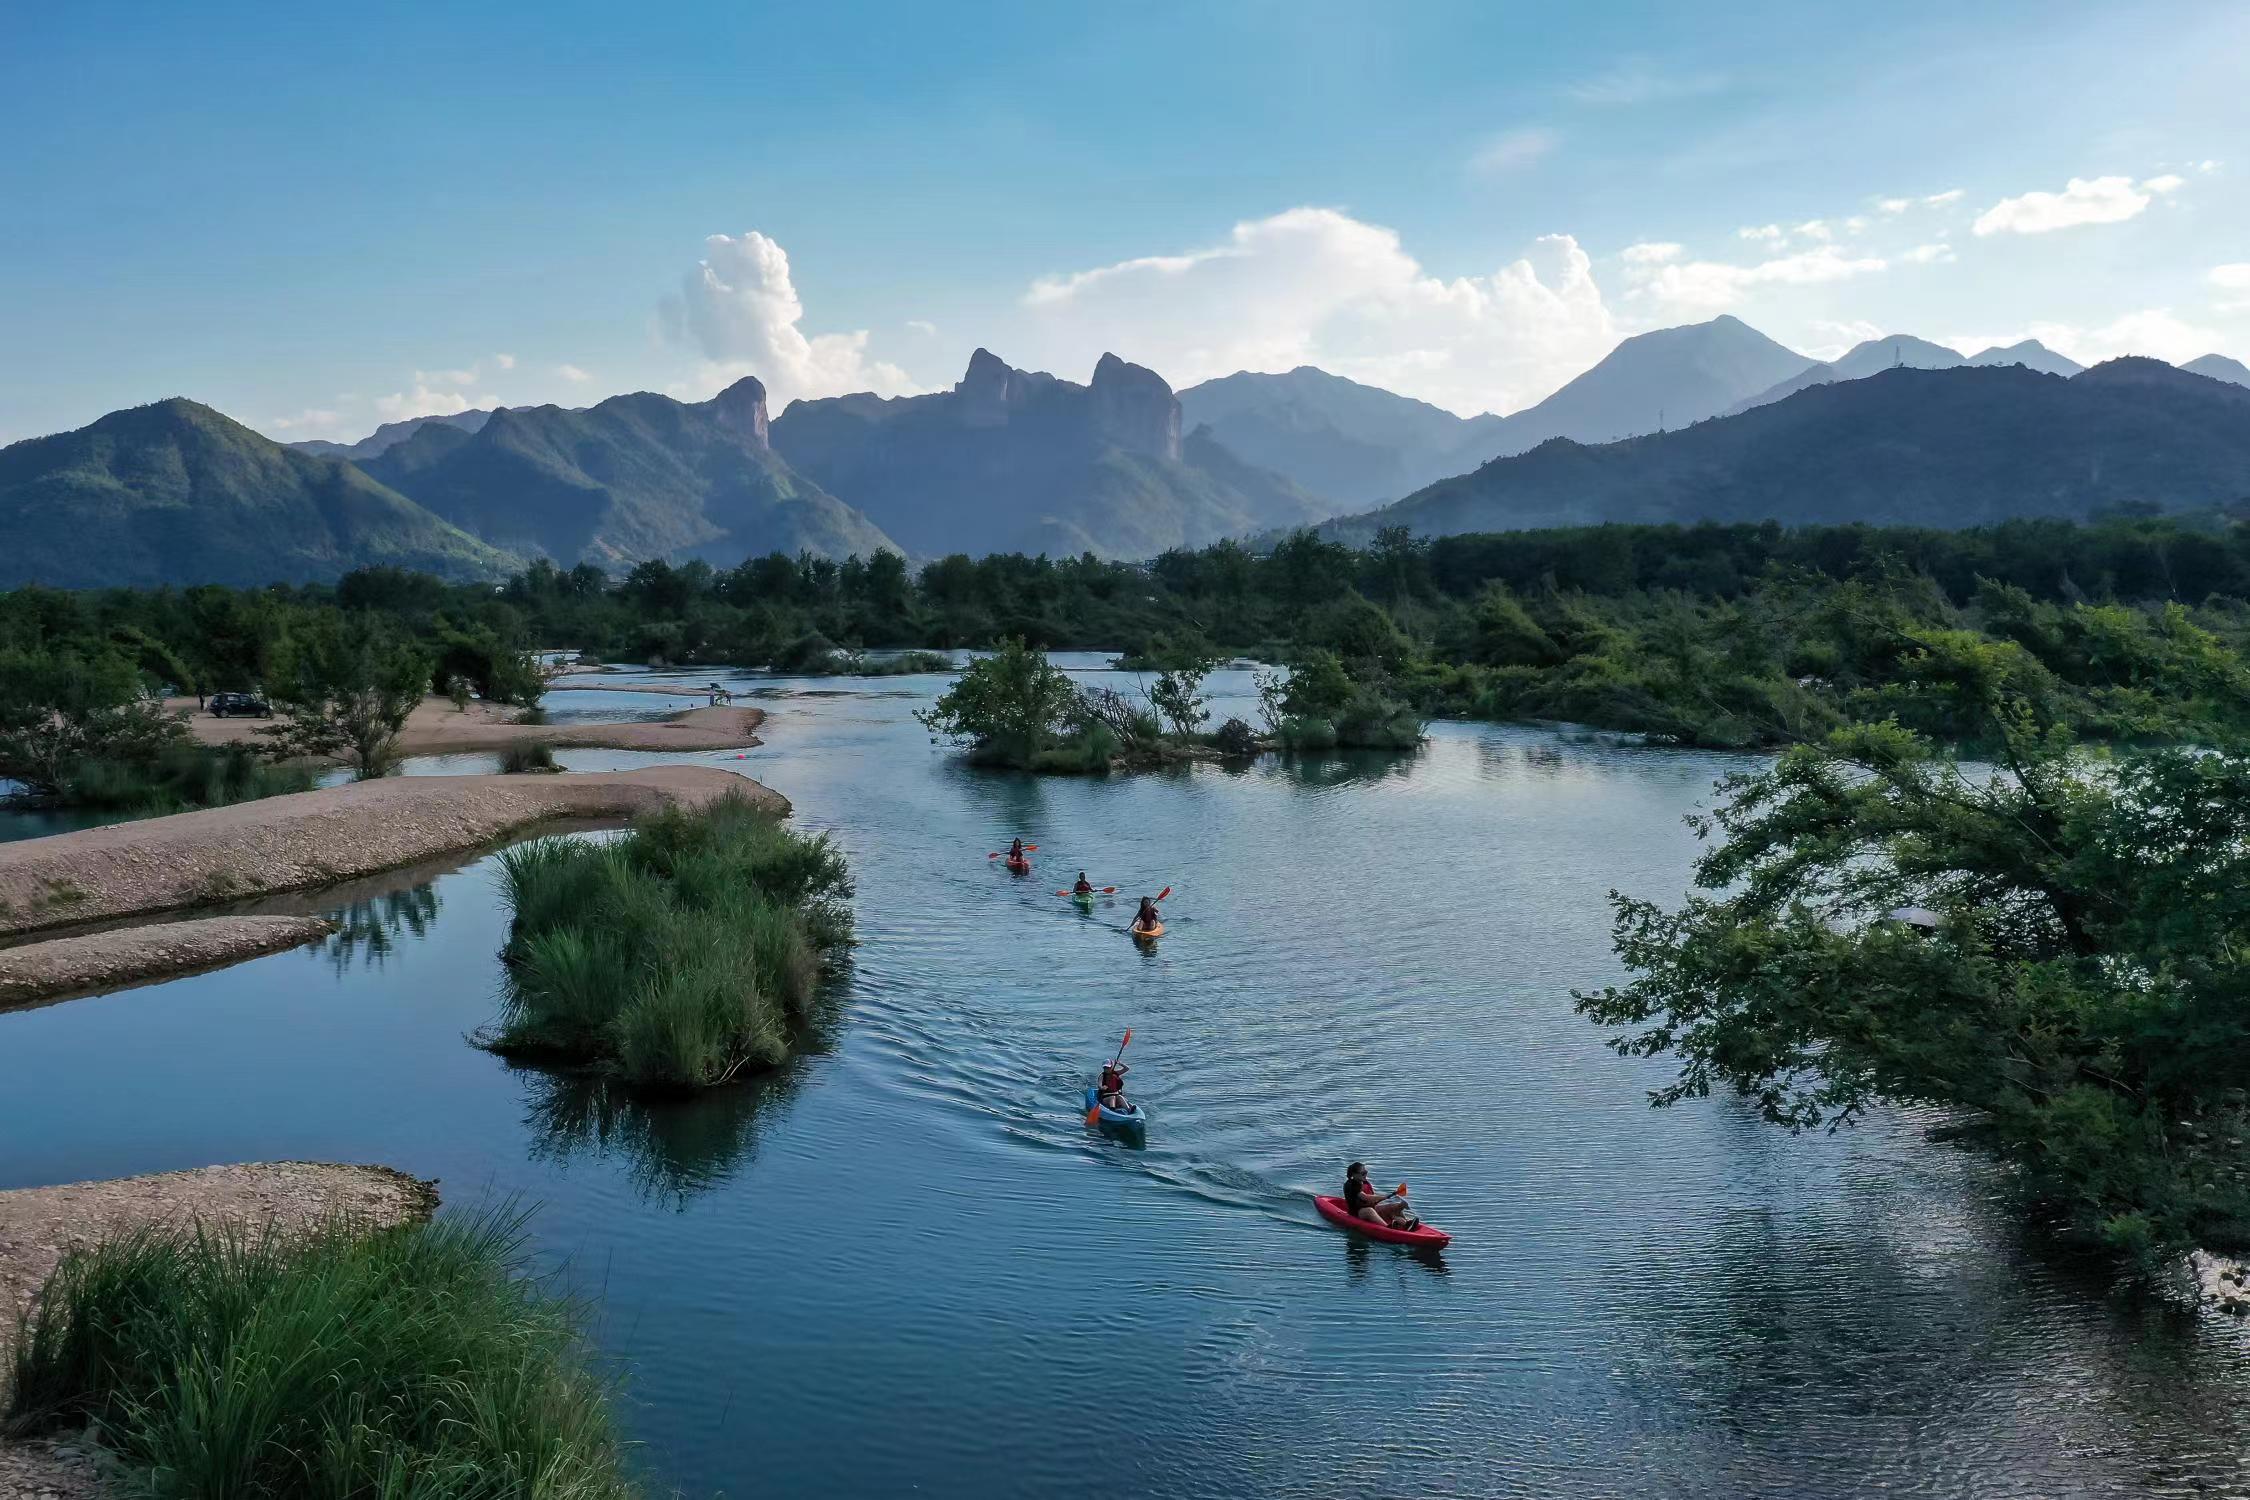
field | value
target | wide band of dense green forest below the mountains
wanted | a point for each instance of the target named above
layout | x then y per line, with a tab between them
1702	635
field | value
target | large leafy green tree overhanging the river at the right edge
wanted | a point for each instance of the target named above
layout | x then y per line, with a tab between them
2051	948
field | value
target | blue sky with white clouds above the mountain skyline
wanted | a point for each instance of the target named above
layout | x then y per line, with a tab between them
323	217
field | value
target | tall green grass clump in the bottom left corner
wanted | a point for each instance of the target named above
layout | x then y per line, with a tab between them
411	1362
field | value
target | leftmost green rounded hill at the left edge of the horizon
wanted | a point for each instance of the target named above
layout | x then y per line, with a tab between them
177	494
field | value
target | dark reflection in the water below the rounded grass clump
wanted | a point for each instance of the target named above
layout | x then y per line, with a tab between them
672	1148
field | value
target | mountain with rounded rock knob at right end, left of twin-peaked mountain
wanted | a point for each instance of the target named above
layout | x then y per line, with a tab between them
627	480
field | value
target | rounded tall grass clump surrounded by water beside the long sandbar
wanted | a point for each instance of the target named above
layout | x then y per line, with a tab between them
678	957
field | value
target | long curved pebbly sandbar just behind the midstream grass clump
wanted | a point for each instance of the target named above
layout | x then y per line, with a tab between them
318	838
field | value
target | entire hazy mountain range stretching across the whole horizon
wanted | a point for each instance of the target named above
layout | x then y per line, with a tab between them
1716	422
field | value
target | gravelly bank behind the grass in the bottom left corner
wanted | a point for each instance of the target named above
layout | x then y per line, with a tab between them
39	1225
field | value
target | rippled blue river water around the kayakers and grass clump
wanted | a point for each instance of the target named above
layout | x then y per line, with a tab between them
906	1263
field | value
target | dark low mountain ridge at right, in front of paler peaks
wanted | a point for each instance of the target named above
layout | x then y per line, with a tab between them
1907	446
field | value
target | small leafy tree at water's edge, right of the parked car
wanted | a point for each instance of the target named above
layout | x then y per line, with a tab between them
350	689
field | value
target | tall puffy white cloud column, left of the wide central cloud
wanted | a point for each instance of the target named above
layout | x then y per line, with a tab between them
739	307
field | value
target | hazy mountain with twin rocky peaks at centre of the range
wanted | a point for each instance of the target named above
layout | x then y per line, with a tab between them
1023	462
